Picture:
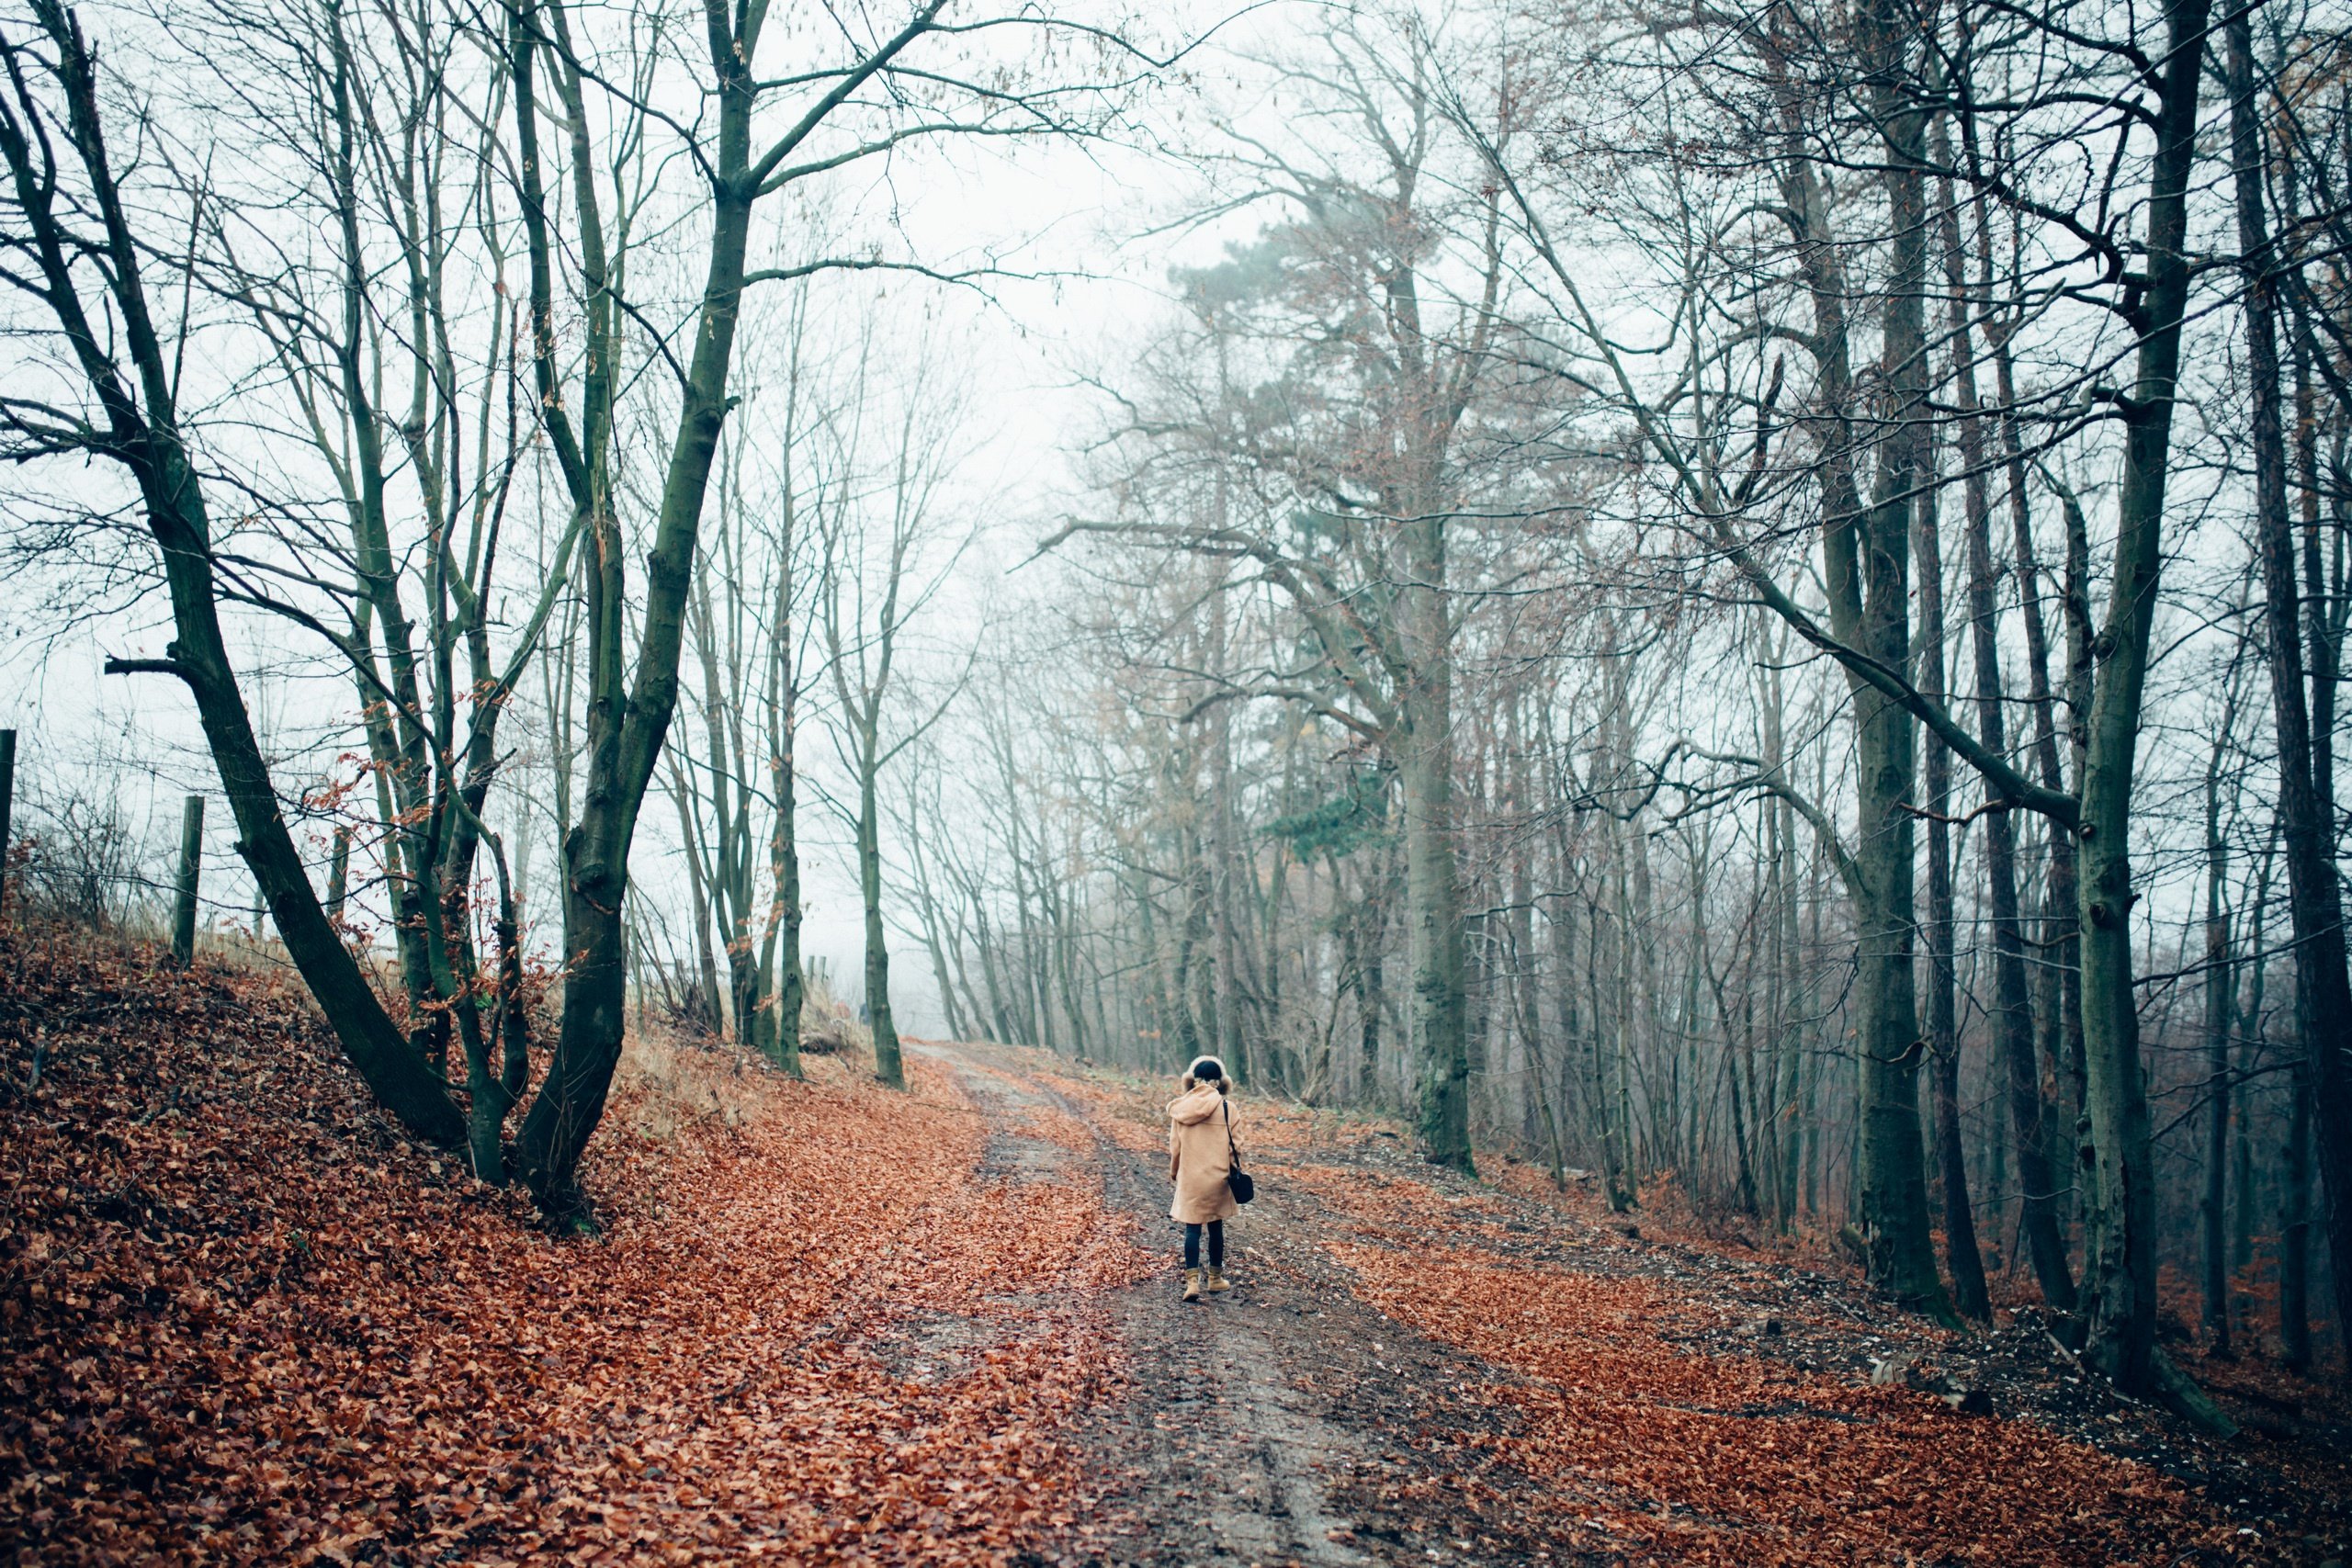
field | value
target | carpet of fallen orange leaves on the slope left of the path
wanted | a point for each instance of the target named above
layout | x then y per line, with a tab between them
246	1322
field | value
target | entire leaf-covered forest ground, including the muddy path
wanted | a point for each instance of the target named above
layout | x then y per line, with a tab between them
834	1322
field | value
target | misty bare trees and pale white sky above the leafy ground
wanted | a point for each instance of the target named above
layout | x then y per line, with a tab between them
1735	603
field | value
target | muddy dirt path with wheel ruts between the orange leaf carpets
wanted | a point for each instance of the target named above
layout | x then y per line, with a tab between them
1281	1423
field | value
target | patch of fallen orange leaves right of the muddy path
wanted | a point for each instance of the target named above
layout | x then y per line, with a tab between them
1749	1461
